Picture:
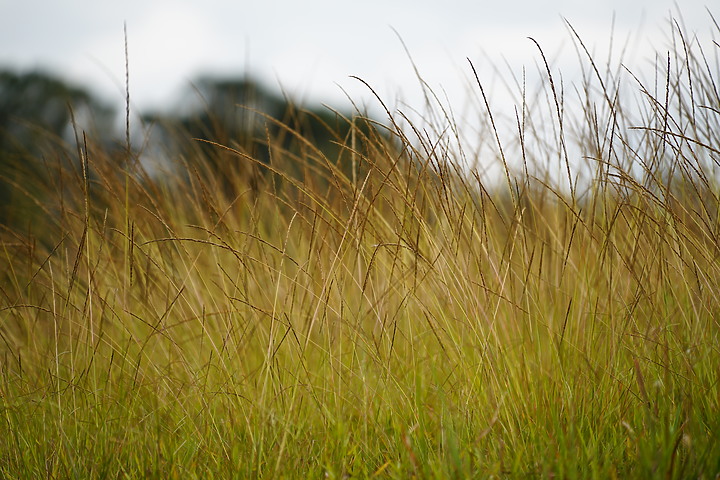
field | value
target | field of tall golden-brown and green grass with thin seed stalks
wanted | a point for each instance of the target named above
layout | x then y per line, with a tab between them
385	312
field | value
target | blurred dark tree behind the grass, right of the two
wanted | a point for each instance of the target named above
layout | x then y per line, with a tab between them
242	114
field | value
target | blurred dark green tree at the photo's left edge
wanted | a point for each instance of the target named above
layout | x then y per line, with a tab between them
36	117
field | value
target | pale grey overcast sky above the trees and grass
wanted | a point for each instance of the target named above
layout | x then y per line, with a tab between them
311	47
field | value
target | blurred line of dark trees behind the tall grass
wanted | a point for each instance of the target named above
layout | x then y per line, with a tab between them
43	116
